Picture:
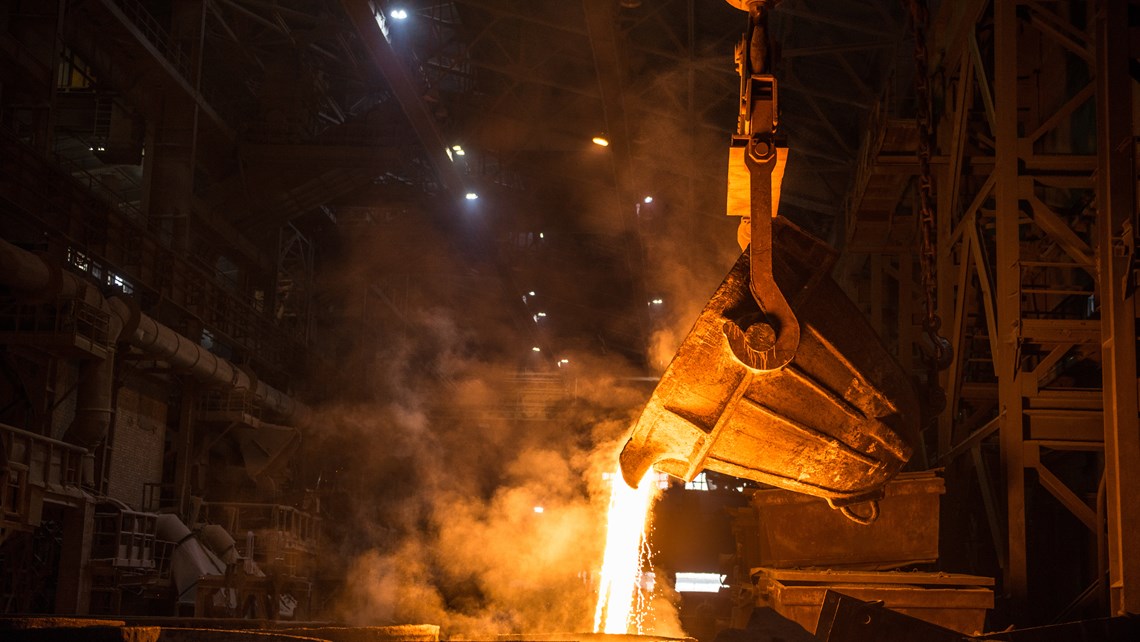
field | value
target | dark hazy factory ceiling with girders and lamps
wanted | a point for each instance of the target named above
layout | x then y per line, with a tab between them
328	116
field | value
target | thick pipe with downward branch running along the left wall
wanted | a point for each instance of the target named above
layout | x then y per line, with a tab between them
37	278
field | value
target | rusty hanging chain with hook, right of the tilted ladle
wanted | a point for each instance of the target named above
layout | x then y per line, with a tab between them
941	354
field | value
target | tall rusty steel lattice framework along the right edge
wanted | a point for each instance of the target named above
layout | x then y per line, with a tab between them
1036	185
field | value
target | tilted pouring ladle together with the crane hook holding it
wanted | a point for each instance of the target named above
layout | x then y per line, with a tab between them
781	379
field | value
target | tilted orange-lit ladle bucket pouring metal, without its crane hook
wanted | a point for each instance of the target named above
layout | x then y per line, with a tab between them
837	422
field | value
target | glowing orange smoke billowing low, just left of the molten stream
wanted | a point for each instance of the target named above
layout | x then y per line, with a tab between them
460	487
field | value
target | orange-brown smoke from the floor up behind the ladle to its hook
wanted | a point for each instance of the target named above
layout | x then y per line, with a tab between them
462	489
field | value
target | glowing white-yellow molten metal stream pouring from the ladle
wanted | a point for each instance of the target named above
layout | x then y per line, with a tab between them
618	596
